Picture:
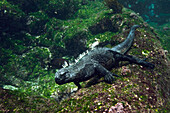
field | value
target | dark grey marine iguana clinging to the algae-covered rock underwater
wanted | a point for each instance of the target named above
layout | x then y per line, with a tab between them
98	62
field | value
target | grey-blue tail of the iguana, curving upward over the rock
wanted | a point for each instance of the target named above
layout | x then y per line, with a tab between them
124	46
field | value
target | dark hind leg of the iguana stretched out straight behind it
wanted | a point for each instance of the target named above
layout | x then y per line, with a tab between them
136	60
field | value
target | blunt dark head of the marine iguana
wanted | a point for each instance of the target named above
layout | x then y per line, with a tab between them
62	76
